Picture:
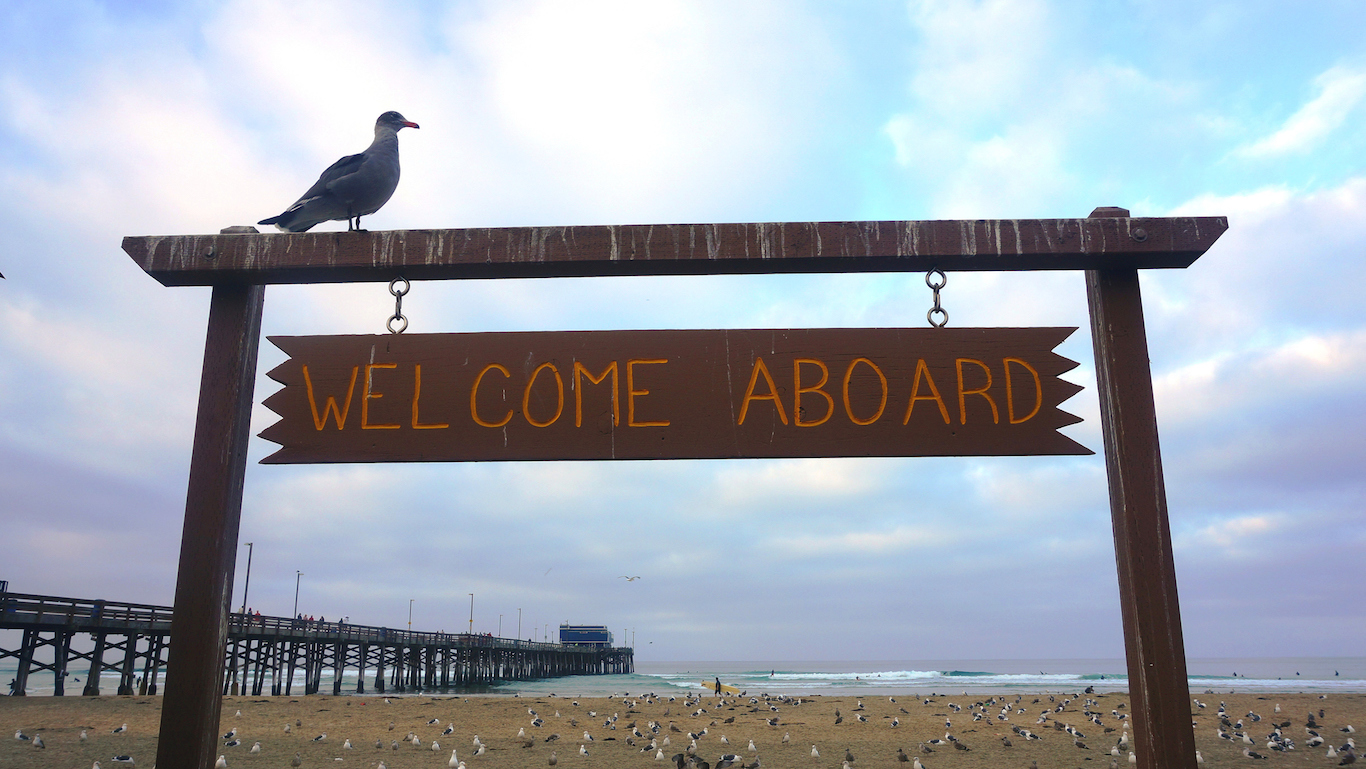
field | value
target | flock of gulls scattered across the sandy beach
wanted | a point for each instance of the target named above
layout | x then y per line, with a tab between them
1054	714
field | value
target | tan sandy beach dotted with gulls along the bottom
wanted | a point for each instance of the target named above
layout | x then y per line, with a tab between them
497	723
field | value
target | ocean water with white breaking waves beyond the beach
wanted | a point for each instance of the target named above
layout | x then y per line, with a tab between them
1322	675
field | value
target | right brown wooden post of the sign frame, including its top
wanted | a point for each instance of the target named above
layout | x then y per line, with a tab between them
1154	645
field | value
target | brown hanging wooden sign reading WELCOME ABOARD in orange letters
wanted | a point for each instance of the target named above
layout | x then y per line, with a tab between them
673	395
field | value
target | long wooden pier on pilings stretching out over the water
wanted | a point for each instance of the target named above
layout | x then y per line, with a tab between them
266	654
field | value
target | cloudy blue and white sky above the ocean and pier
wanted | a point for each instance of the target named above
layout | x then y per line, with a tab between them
166	118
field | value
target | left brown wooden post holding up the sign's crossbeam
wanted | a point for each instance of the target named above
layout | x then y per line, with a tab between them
210	540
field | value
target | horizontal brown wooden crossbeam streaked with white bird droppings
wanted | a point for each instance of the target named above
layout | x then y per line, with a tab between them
677	249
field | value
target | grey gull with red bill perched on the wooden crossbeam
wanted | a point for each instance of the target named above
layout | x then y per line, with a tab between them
356	186
